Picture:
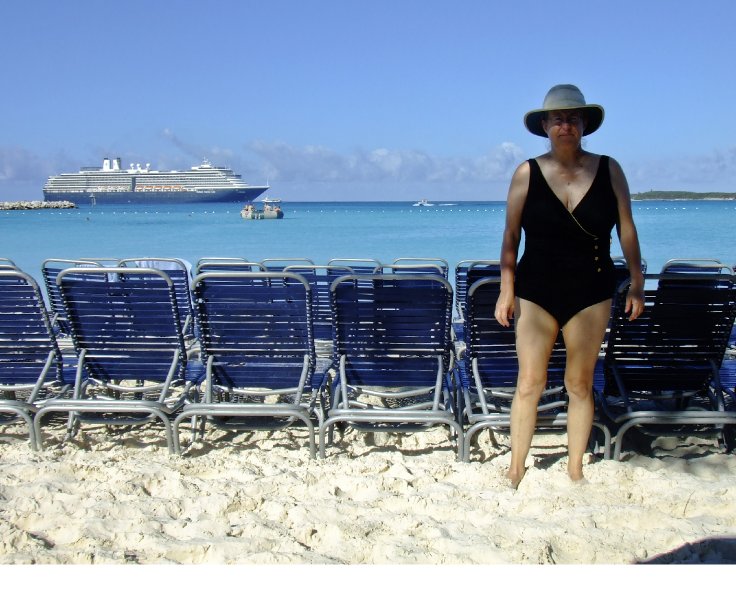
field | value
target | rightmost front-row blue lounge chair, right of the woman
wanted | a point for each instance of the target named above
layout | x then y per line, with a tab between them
662	370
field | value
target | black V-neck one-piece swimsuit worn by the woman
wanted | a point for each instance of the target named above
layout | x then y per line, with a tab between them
566	265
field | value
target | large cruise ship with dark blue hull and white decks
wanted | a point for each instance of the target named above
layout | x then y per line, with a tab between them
111	184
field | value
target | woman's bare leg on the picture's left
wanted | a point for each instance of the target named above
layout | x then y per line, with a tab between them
536	331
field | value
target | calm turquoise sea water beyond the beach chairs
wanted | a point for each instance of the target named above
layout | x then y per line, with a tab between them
322	231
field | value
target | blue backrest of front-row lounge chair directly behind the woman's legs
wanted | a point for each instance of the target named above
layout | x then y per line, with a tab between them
492	347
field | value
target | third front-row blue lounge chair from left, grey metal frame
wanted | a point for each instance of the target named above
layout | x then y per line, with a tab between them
257	344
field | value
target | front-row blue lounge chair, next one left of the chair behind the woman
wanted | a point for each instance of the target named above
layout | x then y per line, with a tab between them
393	354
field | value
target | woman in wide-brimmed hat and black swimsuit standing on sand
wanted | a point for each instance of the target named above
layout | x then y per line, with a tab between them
567	202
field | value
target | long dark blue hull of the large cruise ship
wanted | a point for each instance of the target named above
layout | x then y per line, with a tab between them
82	198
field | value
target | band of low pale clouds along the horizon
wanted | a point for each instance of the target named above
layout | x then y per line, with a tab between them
391	172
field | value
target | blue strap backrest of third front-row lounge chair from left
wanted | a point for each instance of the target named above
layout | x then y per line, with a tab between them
256	328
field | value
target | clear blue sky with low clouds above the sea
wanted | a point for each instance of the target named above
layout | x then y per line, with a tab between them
372	100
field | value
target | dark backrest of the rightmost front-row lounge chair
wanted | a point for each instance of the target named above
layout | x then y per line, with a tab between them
679	339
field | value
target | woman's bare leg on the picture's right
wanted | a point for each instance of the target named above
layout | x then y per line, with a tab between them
583	336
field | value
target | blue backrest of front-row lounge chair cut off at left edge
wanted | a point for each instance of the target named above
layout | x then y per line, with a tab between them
26	336
